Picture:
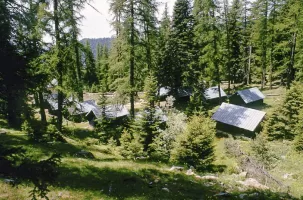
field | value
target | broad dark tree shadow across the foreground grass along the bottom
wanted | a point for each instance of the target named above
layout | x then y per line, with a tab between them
145	183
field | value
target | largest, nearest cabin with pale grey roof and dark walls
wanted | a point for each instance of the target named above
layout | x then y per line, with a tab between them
238	119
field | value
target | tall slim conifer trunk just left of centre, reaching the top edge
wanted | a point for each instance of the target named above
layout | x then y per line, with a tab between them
132	60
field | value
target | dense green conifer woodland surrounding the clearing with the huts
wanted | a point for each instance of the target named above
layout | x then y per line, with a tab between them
204	43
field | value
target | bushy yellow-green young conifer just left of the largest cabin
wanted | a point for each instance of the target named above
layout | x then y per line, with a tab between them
195	146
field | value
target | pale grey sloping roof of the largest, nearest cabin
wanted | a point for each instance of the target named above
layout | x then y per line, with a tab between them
245	118
